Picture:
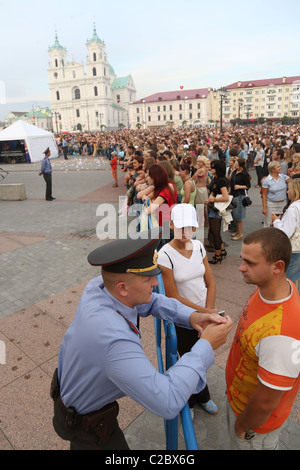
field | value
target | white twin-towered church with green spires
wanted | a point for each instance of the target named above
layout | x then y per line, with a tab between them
91	97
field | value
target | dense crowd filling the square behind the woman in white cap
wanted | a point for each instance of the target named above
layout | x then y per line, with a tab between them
199	166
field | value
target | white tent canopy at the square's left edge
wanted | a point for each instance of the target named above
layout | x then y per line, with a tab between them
37	140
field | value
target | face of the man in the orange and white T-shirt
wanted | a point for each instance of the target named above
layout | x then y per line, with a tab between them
254	268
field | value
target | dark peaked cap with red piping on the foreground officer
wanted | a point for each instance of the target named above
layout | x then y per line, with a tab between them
137	256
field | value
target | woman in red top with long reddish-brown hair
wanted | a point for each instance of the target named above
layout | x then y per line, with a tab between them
163	197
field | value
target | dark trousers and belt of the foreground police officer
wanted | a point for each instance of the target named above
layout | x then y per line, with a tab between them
94	431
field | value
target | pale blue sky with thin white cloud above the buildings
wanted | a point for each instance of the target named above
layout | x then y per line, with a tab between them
163	44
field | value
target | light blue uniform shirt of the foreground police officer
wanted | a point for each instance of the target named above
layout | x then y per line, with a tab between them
101	358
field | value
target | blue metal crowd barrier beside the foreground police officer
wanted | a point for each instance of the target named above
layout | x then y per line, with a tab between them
171	357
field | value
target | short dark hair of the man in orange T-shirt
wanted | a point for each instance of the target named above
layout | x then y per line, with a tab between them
275	244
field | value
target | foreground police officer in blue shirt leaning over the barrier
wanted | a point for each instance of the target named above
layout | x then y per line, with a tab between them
101	358
